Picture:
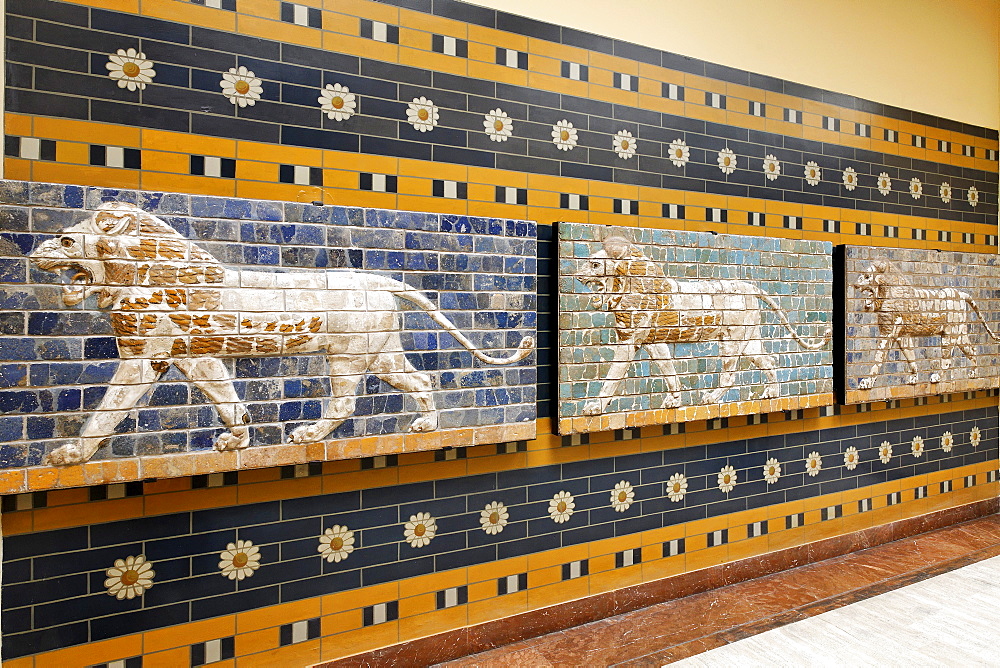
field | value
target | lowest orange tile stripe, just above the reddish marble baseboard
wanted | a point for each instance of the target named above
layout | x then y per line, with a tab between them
343	634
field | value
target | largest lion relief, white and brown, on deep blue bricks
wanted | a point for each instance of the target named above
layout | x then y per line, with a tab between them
173	304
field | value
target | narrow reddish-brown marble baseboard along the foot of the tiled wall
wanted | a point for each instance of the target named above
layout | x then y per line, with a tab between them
489	635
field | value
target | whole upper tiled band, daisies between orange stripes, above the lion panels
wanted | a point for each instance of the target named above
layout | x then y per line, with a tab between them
383	103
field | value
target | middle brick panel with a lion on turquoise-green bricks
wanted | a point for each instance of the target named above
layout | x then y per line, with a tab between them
659	326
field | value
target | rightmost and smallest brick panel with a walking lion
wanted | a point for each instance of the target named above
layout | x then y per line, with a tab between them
919	322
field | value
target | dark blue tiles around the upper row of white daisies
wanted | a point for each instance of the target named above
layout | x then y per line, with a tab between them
288	114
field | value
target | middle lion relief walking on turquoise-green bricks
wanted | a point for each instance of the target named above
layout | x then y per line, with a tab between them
652	311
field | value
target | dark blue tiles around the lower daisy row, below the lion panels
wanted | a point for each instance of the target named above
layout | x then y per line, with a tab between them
58	575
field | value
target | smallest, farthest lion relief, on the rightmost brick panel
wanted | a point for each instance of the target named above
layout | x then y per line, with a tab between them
903	313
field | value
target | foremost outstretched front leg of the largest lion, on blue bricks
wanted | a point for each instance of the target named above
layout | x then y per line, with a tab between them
132	379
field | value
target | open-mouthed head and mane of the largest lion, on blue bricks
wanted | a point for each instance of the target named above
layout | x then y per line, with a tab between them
118	247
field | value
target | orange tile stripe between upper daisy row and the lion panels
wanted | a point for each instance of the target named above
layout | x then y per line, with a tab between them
257	172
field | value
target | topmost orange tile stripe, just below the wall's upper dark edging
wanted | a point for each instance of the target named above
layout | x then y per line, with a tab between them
261	18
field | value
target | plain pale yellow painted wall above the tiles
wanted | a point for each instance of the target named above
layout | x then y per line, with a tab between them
940	57
